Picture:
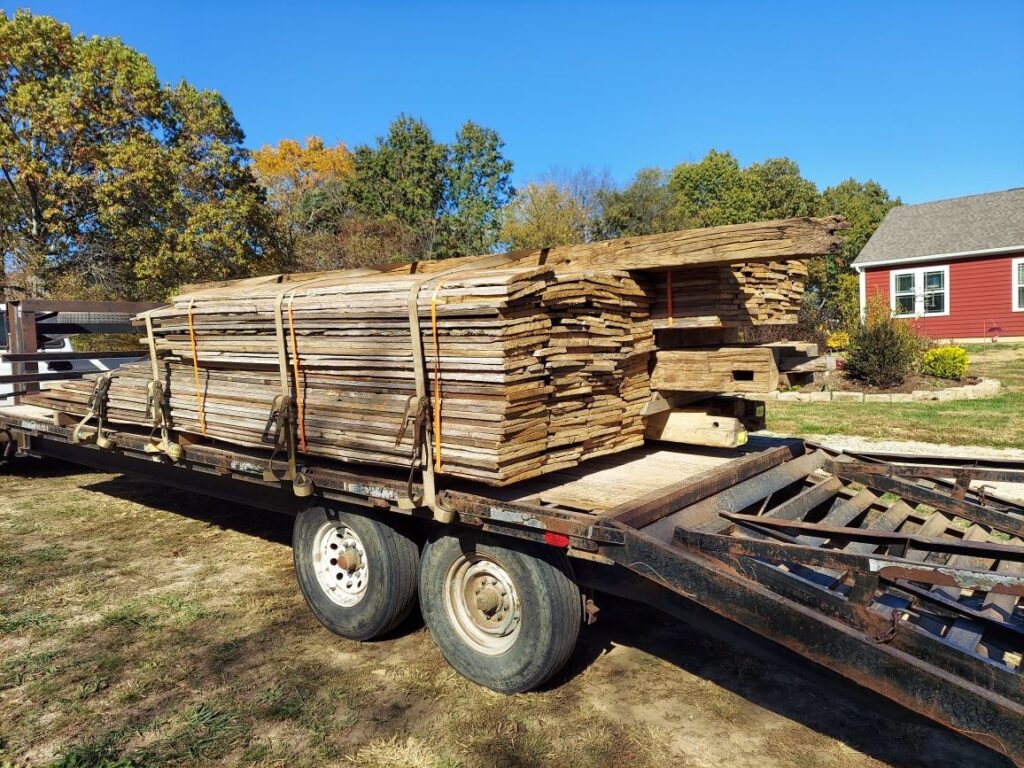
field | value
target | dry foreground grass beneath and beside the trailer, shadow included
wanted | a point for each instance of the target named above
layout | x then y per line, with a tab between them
142	626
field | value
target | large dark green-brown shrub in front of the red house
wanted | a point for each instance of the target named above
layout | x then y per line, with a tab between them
884	350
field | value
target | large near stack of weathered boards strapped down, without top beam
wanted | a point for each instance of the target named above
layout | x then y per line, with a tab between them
535	372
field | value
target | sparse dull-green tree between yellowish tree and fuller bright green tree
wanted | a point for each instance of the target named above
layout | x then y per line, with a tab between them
646	207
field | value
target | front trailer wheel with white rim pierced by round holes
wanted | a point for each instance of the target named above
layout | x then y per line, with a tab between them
358	575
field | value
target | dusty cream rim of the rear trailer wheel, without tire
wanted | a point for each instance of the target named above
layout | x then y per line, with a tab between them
483	605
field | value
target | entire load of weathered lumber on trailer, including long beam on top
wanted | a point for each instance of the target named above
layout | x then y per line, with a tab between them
535	361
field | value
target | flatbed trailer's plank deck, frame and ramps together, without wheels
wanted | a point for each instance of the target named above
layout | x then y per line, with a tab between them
901	574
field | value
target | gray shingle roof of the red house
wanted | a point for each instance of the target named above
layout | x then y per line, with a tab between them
977	223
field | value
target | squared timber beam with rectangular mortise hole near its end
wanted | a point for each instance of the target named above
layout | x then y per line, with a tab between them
726	370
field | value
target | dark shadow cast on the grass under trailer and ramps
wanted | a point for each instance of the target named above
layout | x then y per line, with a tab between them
707	647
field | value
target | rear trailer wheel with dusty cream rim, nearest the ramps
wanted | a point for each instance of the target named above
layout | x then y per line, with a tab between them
507	619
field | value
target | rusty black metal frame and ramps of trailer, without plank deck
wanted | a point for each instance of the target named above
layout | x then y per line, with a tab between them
762	578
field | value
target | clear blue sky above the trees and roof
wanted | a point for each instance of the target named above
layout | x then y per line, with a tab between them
925	98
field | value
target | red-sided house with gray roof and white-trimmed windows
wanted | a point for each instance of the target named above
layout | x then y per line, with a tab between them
957	267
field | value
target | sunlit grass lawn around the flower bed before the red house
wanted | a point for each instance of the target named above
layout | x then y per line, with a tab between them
998	422
